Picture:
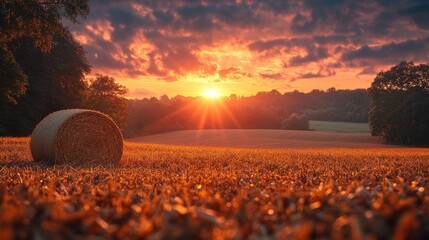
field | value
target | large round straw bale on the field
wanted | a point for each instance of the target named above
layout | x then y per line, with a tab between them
76	136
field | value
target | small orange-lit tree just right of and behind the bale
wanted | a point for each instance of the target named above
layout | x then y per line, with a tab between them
105	95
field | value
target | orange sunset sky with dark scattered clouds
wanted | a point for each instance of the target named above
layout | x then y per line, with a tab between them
243	47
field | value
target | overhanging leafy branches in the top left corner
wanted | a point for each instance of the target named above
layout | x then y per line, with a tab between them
38	20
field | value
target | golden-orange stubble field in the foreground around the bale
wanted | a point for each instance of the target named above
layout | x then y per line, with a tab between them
178	192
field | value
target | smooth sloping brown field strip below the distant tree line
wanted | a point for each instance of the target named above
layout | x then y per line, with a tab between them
264	138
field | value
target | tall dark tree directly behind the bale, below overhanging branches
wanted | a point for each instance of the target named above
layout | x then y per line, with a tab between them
55	81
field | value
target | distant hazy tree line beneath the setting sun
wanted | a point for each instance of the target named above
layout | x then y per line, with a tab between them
263	110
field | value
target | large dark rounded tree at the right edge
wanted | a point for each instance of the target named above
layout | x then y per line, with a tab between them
400	103
